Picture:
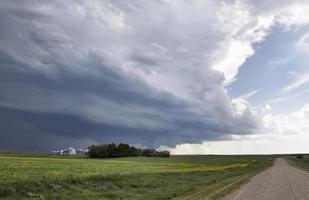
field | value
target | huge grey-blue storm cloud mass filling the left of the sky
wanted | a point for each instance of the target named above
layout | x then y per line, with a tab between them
69	75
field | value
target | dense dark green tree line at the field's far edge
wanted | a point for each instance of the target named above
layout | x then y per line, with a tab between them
123	150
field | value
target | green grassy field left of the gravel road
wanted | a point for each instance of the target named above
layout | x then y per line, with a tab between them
179	177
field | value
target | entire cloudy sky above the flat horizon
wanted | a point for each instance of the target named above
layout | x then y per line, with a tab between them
191	77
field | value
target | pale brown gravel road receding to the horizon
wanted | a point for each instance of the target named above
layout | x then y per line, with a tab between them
280	182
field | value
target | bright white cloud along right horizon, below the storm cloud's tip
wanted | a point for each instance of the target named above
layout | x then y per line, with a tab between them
280	134
